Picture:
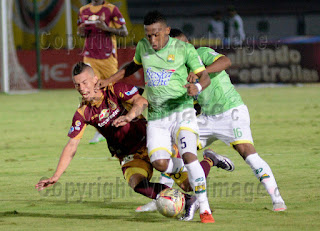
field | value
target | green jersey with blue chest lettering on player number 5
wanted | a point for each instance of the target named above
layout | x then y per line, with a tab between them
165	74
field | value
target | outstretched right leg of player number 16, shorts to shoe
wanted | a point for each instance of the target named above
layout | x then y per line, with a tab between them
233	127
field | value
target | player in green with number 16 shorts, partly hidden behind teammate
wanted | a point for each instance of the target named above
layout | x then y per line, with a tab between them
225	117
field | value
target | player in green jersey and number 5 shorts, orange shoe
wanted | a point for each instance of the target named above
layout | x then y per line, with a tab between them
171	117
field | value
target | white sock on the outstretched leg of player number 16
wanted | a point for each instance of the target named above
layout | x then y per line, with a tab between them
263	172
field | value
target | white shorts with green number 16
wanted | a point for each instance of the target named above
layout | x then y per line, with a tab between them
232	127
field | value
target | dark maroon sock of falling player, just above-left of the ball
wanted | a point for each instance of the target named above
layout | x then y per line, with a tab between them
149	189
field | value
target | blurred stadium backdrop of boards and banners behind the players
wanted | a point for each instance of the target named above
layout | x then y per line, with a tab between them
282	46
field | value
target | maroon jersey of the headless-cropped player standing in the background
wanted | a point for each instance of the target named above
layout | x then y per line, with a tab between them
99	44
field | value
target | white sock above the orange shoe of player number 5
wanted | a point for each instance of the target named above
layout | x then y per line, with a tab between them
198	182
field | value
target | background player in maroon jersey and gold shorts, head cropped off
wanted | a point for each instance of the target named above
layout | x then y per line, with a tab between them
99	23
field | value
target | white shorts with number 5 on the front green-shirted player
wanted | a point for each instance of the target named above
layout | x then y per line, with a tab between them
163	133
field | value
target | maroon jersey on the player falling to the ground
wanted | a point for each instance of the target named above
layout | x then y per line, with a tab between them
123	140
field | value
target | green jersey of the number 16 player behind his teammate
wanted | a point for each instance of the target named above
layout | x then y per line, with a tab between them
220	95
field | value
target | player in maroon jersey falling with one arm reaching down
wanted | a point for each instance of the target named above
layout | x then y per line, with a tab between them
104	110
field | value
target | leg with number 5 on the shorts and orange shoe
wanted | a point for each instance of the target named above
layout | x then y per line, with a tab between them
186	138
